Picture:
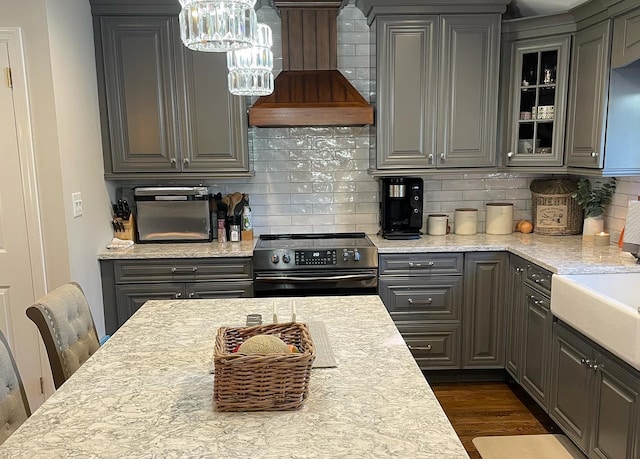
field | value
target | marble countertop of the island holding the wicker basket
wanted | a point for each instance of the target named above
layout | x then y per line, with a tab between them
148	393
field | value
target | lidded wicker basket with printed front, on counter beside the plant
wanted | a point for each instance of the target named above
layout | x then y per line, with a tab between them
554	211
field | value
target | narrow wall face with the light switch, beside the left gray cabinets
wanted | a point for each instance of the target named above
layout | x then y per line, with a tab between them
78	122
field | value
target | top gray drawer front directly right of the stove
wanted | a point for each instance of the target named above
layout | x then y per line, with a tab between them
421	263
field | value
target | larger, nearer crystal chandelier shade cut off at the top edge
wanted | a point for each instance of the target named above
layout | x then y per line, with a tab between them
218	26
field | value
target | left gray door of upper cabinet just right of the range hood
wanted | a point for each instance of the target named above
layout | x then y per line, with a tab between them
407	90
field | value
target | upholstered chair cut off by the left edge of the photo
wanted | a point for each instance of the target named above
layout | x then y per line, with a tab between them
14	407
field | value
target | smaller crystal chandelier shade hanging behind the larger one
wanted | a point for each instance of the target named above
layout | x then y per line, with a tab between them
250	69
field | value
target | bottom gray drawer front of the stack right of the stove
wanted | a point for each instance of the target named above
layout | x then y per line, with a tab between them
433	345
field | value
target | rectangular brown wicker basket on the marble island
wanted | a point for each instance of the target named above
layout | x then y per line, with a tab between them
262	382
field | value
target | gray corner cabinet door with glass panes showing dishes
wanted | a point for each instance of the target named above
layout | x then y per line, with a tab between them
539	76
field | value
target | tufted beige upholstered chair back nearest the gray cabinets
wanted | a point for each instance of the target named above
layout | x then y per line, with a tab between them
65	323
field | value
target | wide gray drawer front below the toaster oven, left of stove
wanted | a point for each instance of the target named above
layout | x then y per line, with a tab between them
183	270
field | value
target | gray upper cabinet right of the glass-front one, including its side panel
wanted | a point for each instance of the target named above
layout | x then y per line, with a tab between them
602	134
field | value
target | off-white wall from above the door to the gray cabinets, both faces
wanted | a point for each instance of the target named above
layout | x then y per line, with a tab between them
61	78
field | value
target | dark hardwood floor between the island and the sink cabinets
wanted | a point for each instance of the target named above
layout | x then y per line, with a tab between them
491	408
